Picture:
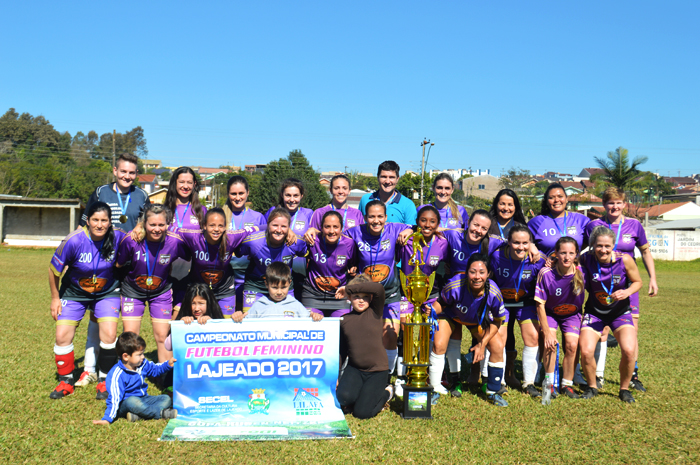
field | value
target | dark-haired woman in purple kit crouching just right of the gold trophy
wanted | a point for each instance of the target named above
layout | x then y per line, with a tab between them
472	300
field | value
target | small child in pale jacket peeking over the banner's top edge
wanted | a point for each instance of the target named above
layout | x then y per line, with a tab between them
278	278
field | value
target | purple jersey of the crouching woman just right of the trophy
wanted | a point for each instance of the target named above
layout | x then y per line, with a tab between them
461	305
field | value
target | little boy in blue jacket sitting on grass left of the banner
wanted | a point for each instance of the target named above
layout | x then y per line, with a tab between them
127	387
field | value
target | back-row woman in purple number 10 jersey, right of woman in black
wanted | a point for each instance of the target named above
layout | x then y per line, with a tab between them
554	221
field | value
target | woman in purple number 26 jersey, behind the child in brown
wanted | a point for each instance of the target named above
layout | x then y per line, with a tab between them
376	242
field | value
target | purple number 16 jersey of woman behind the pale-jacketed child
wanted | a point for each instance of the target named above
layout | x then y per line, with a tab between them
261	255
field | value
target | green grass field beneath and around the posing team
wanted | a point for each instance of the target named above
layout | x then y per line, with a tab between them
662	427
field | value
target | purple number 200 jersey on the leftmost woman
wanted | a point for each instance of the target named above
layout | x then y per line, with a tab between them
90	275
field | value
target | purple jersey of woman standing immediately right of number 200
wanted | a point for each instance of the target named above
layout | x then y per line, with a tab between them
150	264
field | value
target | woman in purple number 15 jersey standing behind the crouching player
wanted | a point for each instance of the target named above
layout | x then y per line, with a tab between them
516	276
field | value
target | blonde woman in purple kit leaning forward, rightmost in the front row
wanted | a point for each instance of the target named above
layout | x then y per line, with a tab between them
611	278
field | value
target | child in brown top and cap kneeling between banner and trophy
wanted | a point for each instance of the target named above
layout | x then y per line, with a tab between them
362	387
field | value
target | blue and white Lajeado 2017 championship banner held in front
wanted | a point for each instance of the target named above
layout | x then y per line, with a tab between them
263	379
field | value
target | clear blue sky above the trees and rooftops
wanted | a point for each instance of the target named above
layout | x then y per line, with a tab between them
536	85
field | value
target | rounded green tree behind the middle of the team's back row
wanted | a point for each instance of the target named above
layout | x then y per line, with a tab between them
265	193
